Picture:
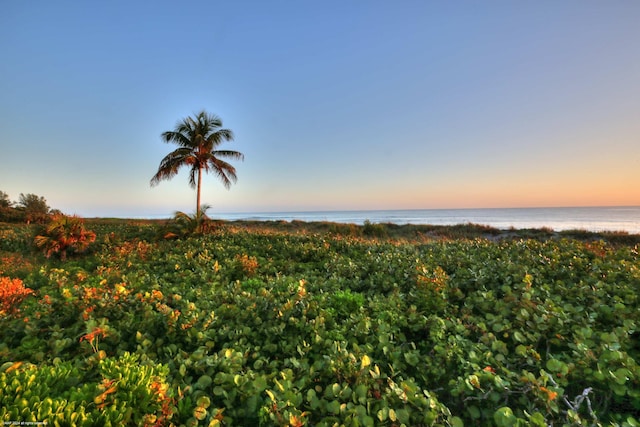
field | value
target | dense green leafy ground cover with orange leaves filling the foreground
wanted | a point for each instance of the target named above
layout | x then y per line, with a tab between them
263	327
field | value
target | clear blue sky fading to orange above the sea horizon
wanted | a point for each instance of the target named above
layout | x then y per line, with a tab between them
336	105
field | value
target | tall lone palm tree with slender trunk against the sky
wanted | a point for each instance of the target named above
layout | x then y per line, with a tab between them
198	139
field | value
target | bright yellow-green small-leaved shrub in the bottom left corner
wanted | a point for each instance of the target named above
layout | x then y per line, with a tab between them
127	391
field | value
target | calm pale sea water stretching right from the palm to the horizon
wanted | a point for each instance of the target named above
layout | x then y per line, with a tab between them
582	218
